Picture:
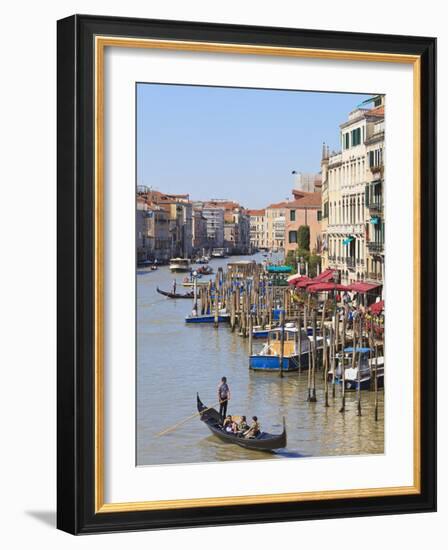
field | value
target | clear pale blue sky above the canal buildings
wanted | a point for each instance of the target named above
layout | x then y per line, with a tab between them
239	144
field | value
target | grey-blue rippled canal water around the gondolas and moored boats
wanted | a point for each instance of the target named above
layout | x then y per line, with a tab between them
176	360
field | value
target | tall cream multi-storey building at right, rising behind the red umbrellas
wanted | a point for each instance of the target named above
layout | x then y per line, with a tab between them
348	182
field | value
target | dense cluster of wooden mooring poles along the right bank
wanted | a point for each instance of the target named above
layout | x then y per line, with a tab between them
246	293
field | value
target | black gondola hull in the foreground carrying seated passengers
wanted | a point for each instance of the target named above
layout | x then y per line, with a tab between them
263	442
